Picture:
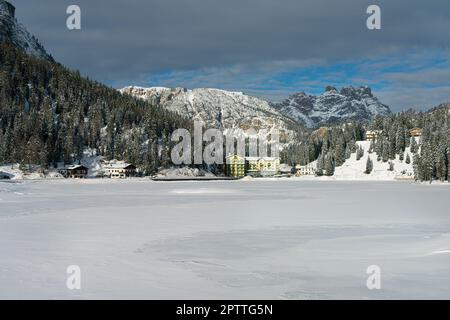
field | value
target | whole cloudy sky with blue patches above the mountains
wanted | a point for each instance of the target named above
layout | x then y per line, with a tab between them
267	48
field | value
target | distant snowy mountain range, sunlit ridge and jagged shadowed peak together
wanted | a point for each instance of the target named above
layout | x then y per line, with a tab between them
220	108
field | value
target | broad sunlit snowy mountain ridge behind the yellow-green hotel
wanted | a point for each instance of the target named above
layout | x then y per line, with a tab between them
216	108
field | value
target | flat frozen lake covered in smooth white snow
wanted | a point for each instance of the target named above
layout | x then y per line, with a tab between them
235	239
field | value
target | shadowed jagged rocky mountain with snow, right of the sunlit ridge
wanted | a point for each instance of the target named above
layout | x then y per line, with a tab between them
348	104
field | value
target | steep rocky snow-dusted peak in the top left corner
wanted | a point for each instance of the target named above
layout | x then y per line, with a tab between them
13	32
